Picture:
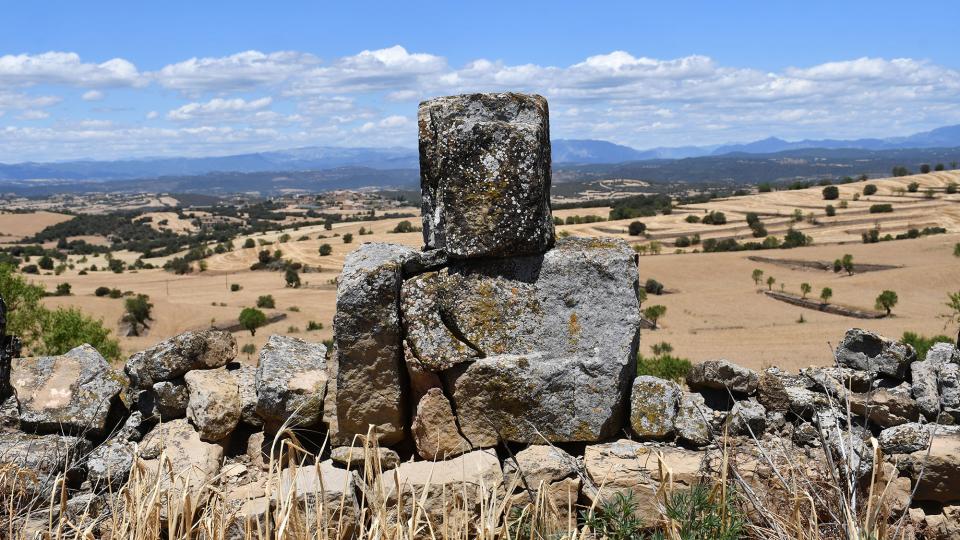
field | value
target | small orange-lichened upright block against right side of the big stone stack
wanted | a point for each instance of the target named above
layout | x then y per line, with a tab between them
653	407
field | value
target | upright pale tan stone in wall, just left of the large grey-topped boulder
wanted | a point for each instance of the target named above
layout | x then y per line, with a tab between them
214	406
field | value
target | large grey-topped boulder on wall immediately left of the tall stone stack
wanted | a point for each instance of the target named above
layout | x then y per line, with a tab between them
291	382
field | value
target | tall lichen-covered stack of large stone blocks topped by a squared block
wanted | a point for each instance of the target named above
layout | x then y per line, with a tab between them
495	332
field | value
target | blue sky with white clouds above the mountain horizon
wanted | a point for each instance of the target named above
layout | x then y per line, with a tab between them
116	79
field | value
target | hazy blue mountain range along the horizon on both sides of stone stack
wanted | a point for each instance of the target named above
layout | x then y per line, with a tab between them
400	164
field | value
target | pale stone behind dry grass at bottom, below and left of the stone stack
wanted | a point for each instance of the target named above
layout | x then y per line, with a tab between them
325	494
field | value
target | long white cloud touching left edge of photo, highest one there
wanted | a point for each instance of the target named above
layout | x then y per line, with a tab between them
66	68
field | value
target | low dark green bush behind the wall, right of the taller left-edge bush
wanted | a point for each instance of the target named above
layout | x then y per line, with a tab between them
66	328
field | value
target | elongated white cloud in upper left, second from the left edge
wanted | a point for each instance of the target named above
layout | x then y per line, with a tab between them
241	71
